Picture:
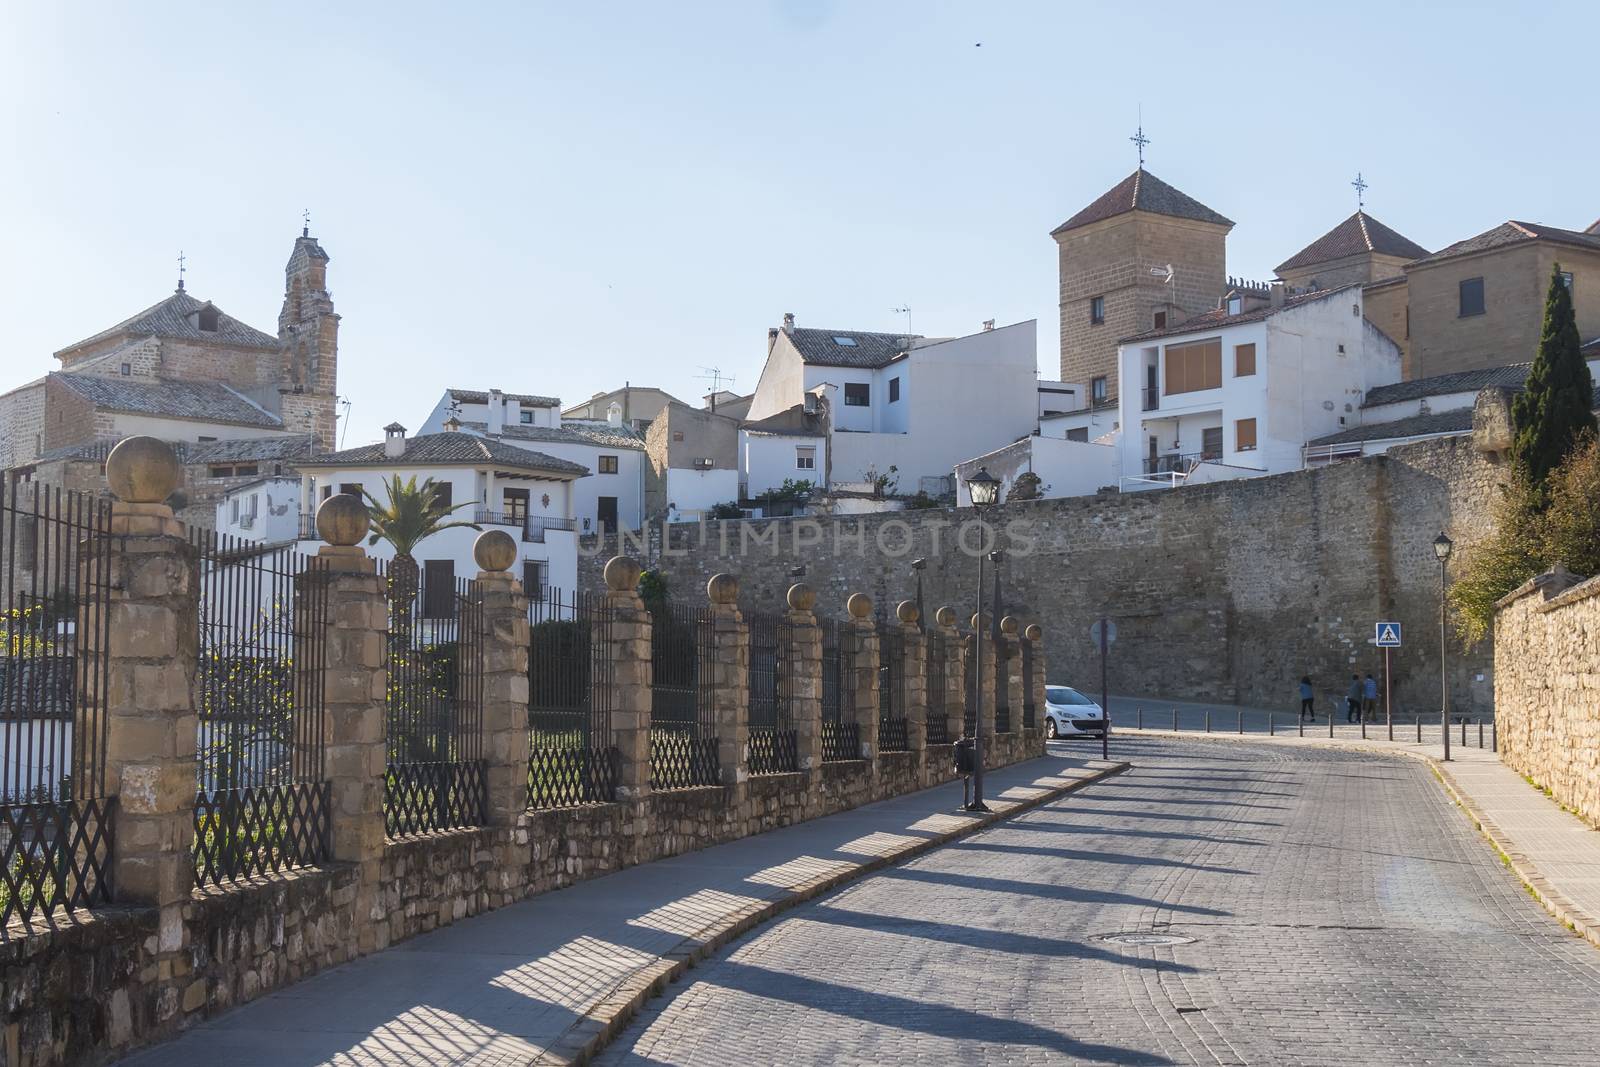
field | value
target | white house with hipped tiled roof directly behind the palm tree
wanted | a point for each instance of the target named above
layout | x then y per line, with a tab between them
526	494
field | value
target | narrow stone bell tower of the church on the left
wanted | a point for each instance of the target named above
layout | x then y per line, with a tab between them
310	332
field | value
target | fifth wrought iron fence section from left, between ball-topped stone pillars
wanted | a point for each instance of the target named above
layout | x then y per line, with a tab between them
682	722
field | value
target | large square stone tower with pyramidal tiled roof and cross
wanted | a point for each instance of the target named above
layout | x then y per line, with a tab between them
1114	258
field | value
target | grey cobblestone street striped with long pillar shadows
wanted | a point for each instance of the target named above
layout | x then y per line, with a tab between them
1342	913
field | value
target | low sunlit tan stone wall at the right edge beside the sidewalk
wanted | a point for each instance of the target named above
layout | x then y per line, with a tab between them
1548	689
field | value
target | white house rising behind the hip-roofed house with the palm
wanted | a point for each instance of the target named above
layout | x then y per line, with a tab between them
612	498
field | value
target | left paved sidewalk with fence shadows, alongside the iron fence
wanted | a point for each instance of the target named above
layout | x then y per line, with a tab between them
553	978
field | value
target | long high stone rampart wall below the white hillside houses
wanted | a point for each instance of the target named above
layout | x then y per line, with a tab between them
1220	593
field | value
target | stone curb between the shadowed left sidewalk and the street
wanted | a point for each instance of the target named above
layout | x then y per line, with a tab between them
606	1020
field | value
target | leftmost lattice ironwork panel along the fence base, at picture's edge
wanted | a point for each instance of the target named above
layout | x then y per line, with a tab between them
54	855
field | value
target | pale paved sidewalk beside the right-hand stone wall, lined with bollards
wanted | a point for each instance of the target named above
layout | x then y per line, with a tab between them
1556	853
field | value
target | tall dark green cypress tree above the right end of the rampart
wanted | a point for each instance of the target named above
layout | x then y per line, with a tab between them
1556	409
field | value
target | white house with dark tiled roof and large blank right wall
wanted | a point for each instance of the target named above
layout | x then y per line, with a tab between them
889	401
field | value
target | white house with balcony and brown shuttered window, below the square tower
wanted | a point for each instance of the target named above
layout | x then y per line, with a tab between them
1238	393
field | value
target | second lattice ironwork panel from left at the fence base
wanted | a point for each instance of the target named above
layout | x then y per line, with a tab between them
246	833
